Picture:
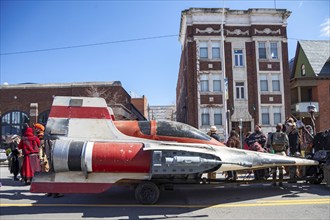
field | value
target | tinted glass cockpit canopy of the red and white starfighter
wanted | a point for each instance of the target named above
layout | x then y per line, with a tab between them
174	129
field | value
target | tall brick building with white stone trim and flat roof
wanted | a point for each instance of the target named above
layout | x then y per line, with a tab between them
254	88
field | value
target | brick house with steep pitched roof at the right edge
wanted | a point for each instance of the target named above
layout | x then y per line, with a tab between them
310	82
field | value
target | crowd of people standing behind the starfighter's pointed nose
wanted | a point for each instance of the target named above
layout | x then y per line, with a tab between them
287	140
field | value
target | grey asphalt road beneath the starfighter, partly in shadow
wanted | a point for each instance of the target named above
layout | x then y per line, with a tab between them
249	201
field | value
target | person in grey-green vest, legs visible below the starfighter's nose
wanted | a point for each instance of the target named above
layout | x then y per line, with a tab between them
279	143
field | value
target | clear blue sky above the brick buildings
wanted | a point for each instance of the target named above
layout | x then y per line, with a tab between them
145	67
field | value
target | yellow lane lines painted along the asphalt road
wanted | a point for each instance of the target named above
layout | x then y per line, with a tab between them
321	201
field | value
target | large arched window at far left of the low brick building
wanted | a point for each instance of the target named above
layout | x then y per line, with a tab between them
12	123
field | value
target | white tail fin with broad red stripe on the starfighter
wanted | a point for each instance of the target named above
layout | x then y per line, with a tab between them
81	117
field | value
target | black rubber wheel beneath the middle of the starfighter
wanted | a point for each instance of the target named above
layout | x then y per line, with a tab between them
147	193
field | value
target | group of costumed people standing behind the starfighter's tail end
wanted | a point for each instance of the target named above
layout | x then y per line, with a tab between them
28	155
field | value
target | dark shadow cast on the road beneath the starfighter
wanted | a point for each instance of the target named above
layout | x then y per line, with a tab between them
119	202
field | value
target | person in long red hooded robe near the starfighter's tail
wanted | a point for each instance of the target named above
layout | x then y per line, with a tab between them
29	145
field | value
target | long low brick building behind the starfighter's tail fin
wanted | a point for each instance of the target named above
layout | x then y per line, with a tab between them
30	103
